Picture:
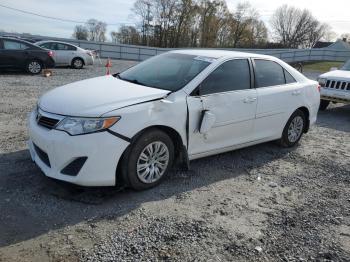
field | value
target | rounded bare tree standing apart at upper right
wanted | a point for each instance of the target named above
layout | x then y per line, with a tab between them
295	28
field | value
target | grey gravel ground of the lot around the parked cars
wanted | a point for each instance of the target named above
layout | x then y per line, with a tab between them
262	203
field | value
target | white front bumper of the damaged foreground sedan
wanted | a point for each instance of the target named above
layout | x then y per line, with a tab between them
103	151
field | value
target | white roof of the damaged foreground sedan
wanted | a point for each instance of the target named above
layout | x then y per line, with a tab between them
219	53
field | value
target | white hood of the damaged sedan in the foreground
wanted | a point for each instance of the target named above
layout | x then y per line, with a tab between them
96	96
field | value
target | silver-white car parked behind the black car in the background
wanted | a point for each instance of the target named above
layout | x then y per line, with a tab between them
67	54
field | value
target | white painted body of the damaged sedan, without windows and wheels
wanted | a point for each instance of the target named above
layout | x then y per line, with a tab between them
242	118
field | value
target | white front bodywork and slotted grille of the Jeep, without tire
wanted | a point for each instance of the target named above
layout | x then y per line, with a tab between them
333	92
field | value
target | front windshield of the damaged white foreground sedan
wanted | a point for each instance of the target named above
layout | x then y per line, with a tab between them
168	71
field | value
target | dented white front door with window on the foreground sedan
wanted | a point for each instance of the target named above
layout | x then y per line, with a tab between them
227	94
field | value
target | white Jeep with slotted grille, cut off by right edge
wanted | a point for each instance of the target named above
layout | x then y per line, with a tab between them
335	86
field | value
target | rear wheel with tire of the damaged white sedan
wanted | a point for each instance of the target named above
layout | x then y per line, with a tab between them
293	130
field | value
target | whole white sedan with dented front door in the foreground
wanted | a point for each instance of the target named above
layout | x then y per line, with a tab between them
132	127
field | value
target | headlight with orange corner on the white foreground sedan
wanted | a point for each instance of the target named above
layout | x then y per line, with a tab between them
79	126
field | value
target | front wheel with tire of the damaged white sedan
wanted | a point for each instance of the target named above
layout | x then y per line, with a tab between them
148	160
